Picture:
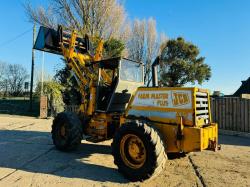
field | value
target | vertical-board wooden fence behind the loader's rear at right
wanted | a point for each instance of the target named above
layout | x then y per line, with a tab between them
231	113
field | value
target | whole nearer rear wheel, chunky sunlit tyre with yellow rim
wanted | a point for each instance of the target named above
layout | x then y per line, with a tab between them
138	151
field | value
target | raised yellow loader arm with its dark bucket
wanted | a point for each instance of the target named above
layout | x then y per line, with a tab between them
75	51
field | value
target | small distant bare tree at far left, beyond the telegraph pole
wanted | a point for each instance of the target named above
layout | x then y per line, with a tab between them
16	75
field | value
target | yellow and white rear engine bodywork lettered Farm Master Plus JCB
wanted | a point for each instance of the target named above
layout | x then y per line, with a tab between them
175	113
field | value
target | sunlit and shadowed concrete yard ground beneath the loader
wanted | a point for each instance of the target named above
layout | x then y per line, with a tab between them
28	158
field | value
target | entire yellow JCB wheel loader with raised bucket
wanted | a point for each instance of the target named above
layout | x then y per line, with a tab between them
145	123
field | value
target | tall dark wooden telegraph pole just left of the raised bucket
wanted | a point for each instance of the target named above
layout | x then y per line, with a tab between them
32	68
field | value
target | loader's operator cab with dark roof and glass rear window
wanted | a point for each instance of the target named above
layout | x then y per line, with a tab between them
126	75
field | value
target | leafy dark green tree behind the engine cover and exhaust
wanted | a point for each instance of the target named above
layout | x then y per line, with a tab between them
181	63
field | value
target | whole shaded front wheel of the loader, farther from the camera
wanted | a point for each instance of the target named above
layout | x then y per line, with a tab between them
66	131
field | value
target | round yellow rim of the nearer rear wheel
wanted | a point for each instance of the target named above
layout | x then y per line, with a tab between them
132	151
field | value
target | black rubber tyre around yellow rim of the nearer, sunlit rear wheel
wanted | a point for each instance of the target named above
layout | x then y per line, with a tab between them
153	137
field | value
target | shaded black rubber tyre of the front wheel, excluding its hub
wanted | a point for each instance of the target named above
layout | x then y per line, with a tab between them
74	128
